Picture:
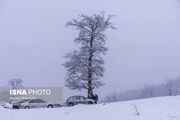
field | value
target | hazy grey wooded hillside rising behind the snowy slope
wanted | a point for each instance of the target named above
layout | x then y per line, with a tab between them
170	88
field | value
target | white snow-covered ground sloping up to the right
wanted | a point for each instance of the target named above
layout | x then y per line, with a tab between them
162	108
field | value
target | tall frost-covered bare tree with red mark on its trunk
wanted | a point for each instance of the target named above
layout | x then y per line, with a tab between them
85	65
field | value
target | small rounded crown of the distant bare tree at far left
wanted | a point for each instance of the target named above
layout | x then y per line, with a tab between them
14	83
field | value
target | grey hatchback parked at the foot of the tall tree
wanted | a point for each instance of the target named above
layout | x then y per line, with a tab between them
74	100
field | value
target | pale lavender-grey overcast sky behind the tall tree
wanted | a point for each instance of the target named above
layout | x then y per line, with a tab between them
144	49
